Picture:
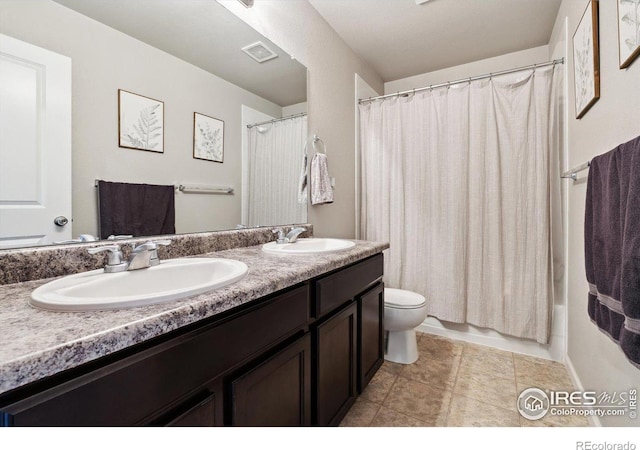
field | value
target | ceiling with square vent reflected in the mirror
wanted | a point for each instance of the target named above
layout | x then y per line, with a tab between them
207	35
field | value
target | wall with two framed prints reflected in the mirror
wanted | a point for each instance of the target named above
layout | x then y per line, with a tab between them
105	60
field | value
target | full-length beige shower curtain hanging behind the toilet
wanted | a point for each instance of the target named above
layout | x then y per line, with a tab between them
463	183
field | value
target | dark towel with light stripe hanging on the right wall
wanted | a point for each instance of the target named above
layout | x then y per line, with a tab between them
612	245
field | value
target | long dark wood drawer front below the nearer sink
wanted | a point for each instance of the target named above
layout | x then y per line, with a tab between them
131	390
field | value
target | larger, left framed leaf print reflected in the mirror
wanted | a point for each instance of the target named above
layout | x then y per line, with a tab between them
140	122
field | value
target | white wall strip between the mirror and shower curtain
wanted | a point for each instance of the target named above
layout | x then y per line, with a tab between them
298	28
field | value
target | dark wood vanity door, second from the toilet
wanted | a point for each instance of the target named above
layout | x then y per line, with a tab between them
335	366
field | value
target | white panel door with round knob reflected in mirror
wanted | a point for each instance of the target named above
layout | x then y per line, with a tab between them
35	145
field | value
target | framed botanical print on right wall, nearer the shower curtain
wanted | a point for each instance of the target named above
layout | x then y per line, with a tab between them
586	60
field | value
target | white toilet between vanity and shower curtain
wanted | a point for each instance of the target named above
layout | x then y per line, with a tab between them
403	312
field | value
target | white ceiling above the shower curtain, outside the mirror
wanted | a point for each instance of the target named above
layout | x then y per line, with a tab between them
398	38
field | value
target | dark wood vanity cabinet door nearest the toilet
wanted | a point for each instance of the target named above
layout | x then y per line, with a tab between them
370	334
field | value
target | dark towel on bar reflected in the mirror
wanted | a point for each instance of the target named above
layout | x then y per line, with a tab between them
136	209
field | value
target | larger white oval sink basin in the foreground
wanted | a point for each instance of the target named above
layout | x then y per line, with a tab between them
170	280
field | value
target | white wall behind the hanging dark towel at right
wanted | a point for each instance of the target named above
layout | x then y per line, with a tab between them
615	118
